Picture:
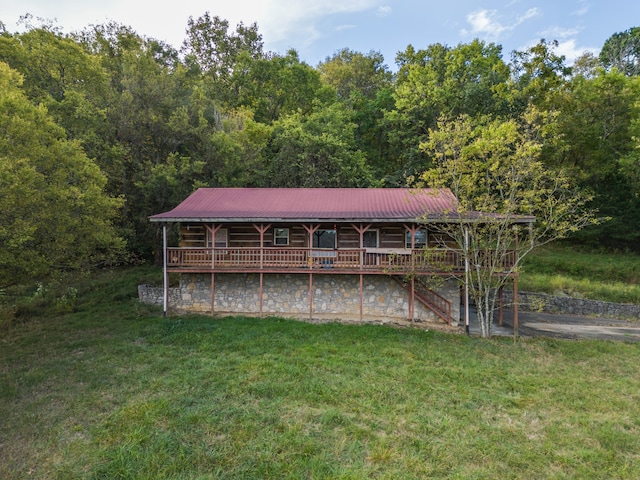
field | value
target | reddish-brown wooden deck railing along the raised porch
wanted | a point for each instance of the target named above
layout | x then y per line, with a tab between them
274	258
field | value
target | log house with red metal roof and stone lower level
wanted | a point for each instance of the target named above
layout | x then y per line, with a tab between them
314	253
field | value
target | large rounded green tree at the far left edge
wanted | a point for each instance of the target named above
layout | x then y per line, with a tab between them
54	214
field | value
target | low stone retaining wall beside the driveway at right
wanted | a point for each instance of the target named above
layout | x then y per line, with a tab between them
541	302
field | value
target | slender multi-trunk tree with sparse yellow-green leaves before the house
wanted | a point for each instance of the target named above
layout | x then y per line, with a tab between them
494	170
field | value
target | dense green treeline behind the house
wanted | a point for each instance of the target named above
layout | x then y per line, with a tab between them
152	123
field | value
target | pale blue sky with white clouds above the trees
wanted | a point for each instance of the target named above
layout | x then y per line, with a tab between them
319	28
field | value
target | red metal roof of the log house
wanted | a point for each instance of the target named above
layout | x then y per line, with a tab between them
308	204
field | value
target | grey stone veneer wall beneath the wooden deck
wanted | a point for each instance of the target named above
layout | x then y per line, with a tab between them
334	296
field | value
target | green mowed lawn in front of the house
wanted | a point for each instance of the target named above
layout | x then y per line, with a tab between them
115	391
